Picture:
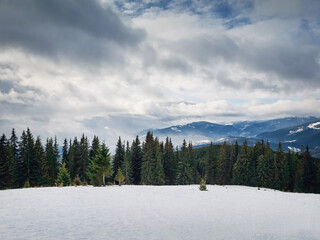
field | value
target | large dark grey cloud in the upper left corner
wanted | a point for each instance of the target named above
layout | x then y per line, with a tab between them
73	28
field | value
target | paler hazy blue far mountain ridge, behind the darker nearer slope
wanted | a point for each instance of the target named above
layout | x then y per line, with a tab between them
202	133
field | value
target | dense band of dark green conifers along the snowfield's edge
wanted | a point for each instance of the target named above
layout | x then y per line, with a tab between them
28	162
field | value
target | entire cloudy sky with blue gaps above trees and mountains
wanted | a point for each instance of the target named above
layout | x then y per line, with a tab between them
115	67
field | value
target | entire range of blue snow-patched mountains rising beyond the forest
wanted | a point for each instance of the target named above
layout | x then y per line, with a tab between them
292	132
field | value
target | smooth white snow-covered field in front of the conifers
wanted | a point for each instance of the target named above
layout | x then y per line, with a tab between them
164	212
